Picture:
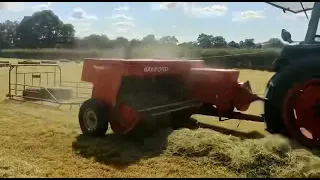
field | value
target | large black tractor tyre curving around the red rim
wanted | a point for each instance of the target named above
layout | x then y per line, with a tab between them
296	73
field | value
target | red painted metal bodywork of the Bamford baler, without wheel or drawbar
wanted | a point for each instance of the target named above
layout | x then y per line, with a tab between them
218	87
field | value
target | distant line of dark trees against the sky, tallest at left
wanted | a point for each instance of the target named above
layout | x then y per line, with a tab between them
44	29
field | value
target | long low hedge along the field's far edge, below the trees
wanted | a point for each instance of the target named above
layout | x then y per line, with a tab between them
260	59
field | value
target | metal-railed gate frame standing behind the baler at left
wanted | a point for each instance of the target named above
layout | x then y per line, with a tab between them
43	83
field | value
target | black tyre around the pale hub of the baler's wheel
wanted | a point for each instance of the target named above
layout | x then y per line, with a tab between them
100	110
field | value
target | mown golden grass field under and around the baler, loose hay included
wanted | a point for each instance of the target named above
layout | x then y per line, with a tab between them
40	141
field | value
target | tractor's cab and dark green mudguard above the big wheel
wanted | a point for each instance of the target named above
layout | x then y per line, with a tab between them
310	46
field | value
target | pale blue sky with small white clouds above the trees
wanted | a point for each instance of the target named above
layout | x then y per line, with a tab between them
185	20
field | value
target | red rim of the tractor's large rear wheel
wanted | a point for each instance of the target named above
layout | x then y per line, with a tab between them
301	111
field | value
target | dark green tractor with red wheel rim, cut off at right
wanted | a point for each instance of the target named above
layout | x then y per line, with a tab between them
293	93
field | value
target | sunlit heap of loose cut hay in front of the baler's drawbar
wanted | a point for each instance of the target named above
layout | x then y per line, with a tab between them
269	157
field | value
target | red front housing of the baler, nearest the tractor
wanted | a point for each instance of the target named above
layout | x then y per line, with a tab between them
220	88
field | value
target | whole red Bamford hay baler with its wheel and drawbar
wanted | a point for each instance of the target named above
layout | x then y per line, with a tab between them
130	94
